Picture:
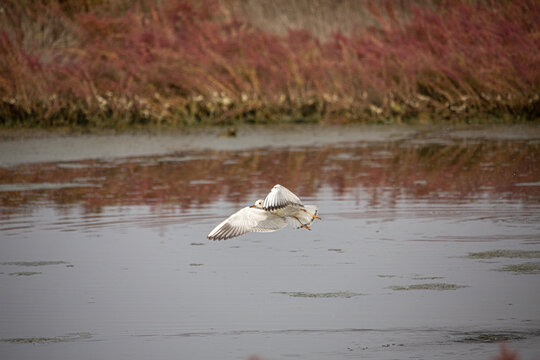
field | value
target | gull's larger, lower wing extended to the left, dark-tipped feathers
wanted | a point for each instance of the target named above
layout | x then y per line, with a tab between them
247	220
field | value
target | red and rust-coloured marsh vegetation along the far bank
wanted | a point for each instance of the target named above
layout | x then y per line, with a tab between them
174	62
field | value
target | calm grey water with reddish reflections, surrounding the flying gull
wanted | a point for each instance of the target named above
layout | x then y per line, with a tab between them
107	258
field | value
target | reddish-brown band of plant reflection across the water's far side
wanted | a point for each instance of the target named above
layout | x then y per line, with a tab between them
461	170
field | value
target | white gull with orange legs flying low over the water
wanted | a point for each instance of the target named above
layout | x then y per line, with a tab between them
280	208
